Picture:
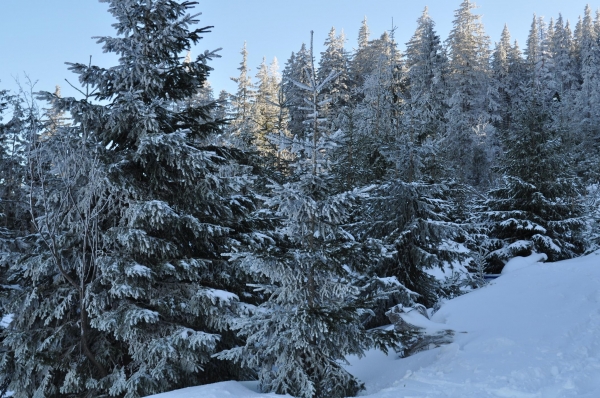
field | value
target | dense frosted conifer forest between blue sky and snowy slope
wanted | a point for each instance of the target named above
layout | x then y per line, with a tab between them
155	236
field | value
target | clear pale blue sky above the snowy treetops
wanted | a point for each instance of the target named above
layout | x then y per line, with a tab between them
38	36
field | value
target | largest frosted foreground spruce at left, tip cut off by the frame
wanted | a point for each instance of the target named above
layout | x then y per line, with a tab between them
124	291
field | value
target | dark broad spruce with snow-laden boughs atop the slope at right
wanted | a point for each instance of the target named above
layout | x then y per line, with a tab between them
538	207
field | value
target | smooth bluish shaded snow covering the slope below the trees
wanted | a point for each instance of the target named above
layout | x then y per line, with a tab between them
533	332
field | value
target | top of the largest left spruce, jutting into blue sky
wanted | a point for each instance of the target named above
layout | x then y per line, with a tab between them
151	38
